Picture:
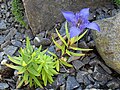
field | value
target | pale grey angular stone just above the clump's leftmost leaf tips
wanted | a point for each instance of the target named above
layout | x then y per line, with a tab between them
10	50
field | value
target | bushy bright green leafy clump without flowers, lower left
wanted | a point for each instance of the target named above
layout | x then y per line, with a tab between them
33	66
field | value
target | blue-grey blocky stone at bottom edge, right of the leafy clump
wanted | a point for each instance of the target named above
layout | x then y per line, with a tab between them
71	83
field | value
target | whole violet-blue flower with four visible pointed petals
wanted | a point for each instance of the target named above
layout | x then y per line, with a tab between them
79	21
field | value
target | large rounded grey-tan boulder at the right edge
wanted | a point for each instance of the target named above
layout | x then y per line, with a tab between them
108	41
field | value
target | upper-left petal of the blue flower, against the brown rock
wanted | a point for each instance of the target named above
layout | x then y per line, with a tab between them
69	16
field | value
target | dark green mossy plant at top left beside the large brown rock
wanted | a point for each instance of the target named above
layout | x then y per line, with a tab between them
17	11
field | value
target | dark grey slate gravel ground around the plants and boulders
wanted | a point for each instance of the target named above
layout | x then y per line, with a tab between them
89	72
